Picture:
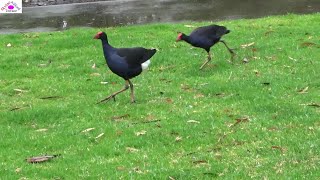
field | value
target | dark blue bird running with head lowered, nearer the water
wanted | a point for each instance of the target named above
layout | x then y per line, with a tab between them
205	37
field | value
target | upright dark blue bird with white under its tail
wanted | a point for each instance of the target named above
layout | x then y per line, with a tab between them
125	62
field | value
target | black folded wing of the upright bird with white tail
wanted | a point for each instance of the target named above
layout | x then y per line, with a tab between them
135	56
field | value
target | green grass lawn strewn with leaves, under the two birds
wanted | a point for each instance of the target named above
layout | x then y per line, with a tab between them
277	134
